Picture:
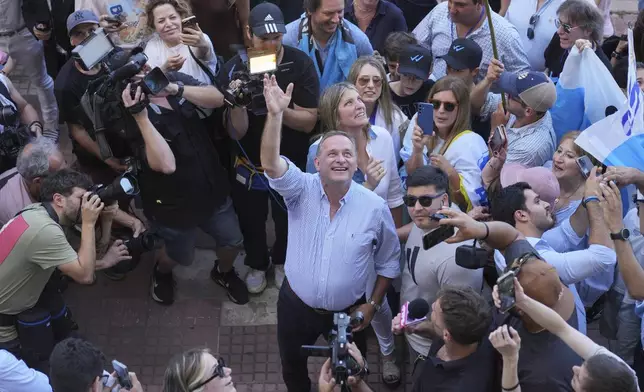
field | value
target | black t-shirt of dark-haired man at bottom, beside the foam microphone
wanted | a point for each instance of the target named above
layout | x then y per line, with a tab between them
476	372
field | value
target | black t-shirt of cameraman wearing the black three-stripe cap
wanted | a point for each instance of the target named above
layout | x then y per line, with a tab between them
297	68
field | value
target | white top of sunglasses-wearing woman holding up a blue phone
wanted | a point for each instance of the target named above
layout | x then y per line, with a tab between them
467	153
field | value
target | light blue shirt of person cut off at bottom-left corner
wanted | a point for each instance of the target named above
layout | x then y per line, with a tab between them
16	376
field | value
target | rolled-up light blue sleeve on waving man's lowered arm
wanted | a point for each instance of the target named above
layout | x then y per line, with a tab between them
387	253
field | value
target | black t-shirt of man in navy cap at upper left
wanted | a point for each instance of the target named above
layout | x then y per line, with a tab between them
69	87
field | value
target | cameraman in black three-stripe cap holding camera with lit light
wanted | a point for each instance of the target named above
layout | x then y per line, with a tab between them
250	190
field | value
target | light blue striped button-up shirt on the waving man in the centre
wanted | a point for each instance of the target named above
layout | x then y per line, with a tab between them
328	261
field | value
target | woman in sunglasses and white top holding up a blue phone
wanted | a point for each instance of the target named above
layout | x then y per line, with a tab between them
452	146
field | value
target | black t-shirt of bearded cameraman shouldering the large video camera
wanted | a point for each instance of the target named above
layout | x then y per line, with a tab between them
187	197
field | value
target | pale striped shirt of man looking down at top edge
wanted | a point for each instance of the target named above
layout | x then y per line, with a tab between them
437	32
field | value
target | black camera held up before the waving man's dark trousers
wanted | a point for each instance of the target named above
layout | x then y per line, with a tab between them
342	363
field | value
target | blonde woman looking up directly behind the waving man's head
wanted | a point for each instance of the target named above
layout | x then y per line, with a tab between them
341	109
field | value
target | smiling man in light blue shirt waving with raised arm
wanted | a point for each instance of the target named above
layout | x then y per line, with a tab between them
338	233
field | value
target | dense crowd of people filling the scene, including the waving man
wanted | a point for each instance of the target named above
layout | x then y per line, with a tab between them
401	152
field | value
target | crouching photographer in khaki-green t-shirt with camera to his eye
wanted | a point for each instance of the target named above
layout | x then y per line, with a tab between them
32	245
